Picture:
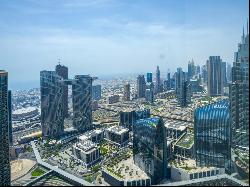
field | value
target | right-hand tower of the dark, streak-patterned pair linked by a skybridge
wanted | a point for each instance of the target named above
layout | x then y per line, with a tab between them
82	102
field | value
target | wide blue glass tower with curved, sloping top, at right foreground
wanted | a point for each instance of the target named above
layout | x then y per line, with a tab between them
212	135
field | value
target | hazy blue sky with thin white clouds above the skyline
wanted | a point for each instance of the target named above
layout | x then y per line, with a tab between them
105	37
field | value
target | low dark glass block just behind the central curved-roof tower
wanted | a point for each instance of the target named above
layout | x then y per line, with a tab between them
128	118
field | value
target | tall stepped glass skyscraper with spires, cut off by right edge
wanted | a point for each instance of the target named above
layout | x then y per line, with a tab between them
239	95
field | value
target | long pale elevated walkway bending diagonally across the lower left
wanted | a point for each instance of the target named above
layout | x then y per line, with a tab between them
60	172
